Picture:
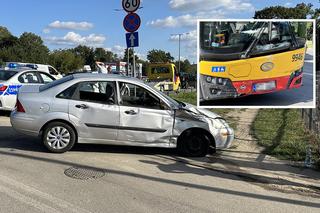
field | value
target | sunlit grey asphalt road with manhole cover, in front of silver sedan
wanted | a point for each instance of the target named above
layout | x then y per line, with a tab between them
133	180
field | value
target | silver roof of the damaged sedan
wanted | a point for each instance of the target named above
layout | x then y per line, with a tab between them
103	76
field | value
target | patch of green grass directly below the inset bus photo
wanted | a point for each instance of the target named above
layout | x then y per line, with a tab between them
282	133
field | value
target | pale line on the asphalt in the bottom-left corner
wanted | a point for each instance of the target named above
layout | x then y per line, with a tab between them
54	200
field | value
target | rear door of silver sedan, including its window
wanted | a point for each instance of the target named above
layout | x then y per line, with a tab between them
94	111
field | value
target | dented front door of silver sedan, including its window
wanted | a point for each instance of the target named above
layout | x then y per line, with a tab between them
144	117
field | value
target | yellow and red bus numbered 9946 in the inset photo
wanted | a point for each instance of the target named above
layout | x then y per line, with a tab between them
245	58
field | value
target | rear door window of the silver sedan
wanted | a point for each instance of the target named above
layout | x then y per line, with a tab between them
96	91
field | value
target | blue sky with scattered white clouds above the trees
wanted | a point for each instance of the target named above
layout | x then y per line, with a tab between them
98	23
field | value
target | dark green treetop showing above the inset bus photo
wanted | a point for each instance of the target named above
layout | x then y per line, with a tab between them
300	11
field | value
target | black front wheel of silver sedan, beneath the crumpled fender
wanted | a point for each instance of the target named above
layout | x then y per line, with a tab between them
193	144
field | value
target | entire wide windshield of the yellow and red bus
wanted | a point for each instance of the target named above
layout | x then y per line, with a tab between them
230	40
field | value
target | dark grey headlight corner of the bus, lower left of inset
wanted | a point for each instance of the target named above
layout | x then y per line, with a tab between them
212	88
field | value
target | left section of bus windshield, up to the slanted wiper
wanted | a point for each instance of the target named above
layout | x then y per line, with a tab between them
228	37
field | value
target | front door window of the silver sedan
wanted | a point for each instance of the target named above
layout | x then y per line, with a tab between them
136	96
